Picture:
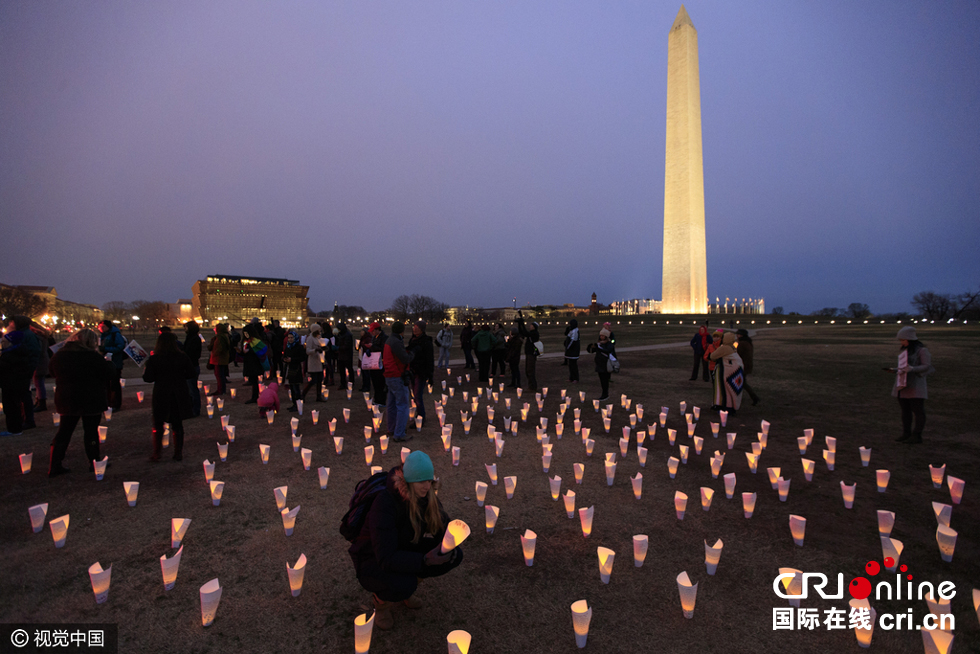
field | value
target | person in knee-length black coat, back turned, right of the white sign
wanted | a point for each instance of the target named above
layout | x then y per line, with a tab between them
168	369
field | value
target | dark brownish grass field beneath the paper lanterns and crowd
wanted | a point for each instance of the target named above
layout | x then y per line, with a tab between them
827	378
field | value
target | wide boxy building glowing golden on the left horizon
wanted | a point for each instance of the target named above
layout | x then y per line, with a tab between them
227	298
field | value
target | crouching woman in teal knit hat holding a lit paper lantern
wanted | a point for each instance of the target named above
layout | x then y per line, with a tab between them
399	543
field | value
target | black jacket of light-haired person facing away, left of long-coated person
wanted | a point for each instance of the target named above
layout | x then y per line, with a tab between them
81	378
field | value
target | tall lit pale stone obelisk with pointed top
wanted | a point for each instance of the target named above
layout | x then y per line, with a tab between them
685	280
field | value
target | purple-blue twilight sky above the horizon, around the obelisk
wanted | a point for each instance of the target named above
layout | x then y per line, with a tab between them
477	151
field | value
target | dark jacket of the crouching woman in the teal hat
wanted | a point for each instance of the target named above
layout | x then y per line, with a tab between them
385	542
